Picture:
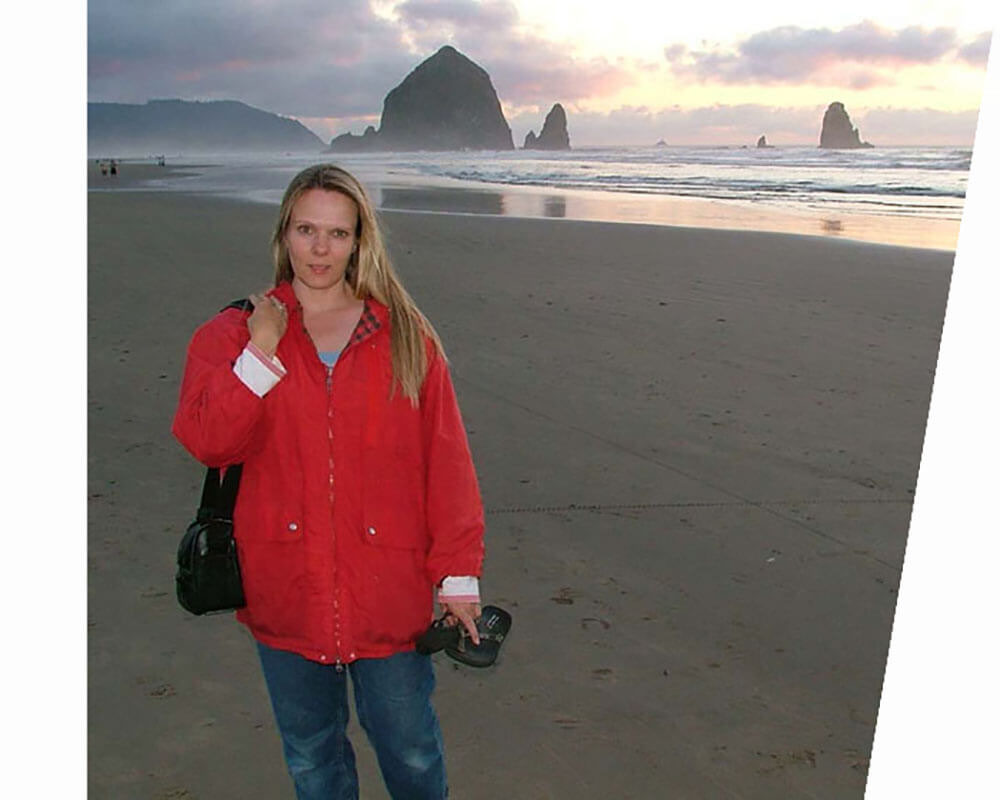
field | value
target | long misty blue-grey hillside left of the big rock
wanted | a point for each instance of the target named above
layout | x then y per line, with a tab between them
181	126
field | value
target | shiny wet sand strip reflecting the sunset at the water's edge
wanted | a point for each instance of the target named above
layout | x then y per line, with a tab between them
451	196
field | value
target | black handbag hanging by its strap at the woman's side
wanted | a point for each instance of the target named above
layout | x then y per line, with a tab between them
208	570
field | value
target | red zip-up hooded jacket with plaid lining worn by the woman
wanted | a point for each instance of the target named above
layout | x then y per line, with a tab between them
352	506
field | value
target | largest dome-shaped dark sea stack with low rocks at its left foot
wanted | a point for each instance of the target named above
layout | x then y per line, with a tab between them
447	103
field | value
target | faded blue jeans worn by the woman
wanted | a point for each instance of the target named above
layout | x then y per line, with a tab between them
393	699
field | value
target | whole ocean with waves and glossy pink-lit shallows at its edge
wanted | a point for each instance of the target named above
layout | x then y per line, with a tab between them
889	195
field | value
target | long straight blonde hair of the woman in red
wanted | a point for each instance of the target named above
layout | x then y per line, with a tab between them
369	274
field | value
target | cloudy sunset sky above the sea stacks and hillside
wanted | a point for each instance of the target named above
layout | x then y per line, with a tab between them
627	72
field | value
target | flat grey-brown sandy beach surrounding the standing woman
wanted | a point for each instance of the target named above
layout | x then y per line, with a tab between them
697	450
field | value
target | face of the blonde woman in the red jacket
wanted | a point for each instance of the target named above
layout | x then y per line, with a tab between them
320	237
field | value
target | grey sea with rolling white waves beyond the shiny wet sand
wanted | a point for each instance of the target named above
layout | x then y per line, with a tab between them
903	181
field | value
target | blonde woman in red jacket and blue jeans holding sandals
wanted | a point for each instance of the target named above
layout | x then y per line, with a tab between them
358	495
